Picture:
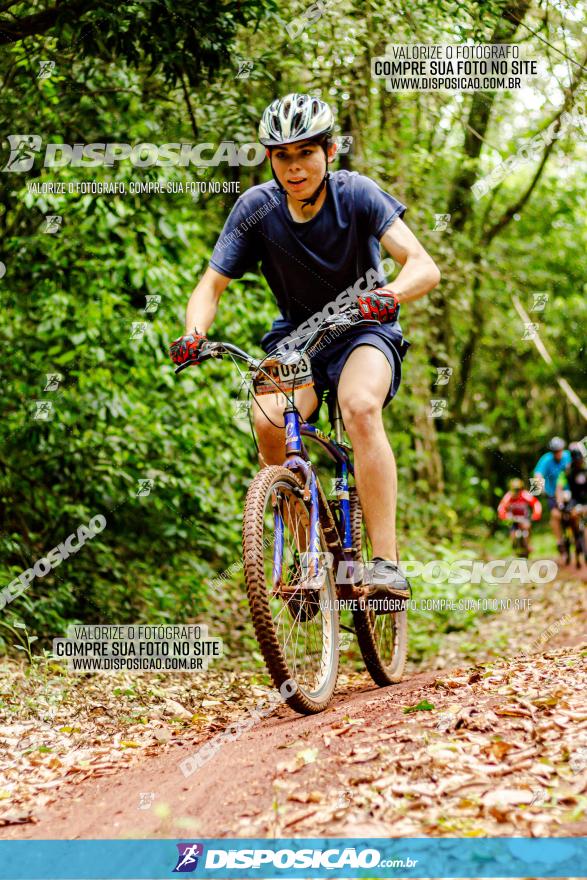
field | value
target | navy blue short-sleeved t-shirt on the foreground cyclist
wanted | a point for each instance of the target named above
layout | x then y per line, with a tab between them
307	264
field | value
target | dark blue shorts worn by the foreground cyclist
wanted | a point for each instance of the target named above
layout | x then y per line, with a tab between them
328	361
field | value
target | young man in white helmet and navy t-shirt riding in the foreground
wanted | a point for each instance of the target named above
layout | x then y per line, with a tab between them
317	234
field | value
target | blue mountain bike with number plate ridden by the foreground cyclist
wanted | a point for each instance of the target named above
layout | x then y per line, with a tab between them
305	555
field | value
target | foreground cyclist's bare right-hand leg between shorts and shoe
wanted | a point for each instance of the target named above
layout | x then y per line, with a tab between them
362	390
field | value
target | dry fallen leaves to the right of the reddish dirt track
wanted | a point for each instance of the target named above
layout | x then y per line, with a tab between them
512	765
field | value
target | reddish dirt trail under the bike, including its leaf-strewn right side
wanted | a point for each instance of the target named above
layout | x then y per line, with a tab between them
494	749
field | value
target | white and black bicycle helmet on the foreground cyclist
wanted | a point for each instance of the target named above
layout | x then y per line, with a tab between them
294	118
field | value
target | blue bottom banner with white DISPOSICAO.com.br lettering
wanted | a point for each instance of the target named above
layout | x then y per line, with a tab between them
285	858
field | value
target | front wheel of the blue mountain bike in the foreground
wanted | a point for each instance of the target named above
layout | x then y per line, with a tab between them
296	622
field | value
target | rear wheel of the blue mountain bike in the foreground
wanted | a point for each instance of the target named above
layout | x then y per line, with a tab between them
382	638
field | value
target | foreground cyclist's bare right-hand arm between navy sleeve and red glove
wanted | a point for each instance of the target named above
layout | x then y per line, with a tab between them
419	273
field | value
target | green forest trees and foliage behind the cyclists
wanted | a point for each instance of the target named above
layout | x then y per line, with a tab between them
164	458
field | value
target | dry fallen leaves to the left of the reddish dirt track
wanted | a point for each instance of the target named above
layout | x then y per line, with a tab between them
58	728
